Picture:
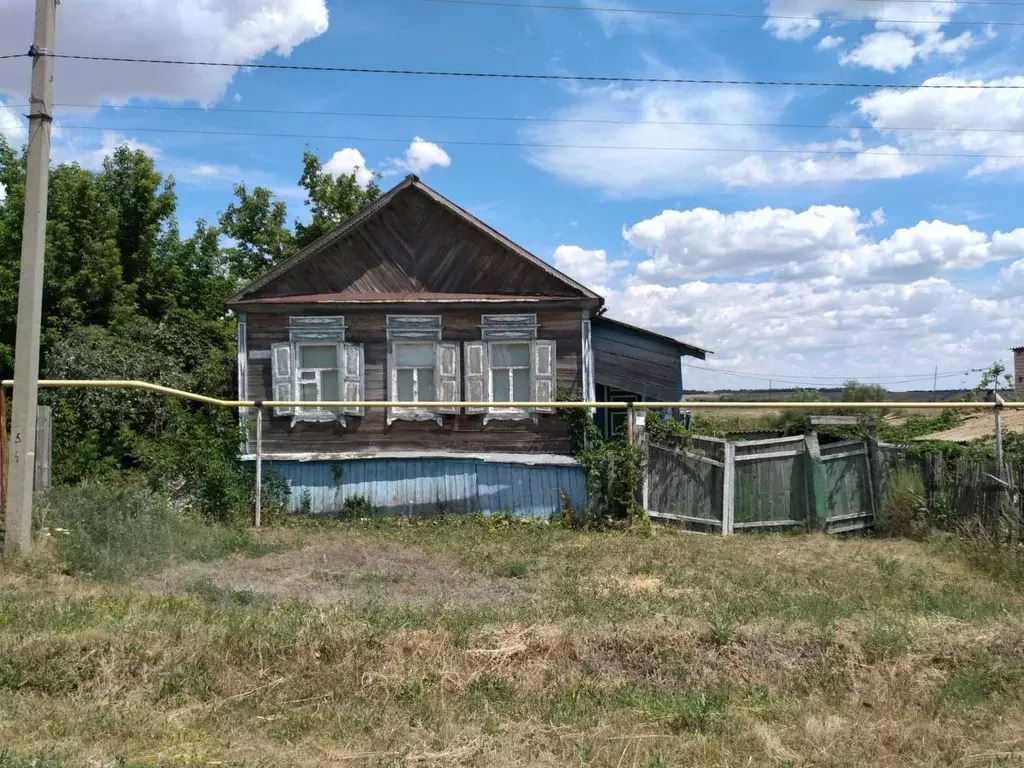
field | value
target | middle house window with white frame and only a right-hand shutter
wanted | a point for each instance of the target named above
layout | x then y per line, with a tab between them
421	368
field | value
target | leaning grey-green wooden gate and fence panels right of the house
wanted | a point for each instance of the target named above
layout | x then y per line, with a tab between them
789	483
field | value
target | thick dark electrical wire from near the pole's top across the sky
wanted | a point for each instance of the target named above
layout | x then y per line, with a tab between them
533	76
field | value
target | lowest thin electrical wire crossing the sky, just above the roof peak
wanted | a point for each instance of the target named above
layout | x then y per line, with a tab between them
536	146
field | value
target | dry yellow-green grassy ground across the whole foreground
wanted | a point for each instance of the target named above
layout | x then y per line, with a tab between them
497	644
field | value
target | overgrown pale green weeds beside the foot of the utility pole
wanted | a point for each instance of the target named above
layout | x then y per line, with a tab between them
116	533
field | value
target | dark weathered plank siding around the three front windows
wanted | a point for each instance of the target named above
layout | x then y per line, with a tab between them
371	433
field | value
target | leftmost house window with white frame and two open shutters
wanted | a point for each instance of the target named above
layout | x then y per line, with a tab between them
318	366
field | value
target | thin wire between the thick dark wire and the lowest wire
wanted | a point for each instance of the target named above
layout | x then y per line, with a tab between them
519	119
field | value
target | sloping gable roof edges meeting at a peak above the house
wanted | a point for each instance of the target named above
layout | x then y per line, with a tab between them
410	183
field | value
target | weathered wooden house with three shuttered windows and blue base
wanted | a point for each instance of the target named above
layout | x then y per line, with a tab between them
415	301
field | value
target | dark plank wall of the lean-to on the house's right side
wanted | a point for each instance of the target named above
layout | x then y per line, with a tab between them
636	364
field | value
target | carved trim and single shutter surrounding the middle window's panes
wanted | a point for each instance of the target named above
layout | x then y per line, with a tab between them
425	330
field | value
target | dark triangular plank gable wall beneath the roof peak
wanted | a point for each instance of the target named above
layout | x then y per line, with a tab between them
414	245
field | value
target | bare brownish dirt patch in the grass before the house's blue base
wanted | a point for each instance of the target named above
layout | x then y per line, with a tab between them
349	568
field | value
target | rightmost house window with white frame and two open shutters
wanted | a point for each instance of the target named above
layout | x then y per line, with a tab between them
511	366
